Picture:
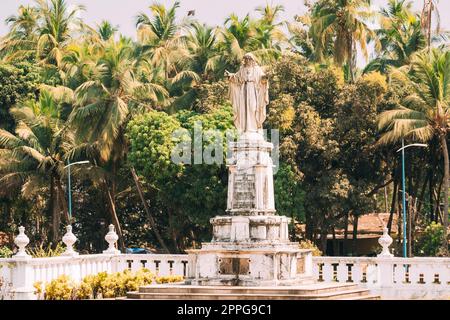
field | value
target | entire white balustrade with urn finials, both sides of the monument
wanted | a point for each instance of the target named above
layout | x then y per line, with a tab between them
388	276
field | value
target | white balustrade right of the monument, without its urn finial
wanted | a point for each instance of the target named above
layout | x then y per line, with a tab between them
403	278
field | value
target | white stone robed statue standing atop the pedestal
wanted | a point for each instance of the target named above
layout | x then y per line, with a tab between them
249	95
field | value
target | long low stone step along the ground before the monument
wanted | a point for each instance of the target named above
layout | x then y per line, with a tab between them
347	294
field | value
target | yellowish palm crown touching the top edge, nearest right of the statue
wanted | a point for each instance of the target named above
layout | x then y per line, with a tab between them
343	22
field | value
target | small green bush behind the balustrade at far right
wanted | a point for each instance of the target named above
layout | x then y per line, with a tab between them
429	243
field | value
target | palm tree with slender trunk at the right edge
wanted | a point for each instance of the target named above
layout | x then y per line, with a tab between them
425	113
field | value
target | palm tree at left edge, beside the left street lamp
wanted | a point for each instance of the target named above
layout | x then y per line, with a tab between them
33	158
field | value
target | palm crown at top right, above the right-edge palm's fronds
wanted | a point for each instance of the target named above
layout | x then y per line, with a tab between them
400	36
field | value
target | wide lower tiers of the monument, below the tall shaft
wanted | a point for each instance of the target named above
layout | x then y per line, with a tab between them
250	251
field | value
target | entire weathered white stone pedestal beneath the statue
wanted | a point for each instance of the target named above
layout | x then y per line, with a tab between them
250	245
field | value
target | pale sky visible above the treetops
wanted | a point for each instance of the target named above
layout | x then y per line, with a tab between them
213	12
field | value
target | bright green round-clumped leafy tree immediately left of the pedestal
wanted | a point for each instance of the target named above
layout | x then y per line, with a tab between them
189	193
